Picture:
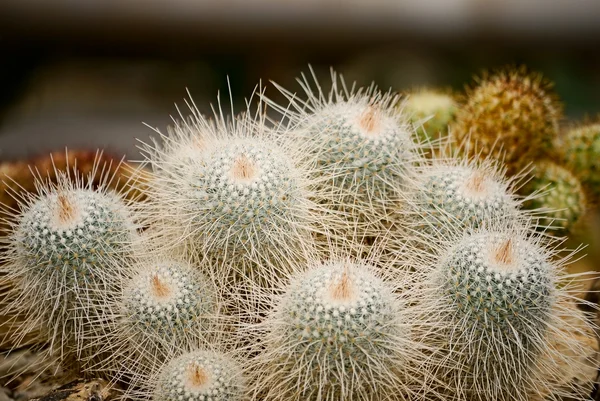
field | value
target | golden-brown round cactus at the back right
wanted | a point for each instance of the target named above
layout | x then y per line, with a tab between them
511	115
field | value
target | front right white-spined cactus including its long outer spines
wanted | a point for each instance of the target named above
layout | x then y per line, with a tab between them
495	299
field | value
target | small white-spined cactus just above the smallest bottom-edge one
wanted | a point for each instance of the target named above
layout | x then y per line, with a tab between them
166	306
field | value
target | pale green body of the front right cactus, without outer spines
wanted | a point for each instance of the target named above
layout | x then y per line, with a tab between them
499	293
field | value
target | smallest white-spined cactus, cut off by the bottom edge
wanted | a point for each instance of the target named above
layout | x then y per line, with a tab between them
200	376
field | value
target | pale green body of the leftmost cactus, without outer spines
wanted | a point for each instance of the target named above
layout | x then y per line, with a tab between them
79	249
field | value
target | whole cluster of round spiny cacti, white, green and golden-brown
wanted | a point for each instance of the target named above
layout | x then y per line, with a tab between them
327	257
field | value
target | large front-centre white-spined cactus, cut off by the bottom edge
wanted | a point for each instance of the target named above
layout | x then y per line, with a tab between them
337	332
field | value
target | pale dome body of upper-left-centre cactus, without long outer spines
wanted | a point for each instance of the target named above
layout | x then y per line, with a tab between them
243	187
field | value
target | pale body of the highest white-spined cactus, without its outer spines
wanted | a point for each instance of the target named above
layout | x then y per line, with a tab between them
361	148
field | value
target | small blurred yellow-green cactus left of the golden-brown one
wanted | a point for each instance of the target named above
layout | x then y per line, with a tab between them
430	111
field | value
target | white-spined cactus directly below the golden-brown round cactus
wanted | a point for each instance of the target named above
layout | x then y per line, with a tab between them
451	195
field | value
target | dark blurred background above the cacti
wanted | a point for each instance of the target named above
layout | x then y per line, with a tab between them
87	73
